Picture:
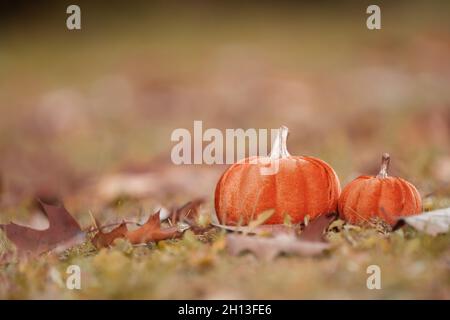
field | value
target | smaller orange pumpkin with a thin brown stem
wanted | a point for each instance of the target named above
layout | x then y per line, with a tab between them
381	196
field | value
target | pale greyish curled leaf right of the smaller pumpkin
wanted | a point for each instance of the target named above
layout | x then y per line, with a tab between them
433	222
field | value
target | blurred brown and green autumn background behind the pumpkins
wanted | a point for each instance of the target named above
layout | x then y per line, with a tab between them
86	116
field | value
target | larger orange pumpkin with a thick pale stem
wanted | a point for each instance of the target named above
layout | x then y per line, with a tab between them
298	186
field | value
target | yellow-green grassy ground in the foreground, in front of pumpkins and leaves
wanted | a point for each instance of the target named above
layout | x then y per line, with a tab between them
413	265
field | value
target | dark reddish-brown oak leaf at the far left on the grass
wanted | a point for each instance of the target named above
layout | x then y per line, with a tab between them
63	232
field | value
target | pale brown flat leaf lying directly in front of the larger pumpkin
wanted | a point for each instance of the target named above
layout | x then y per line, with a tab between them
269	248
